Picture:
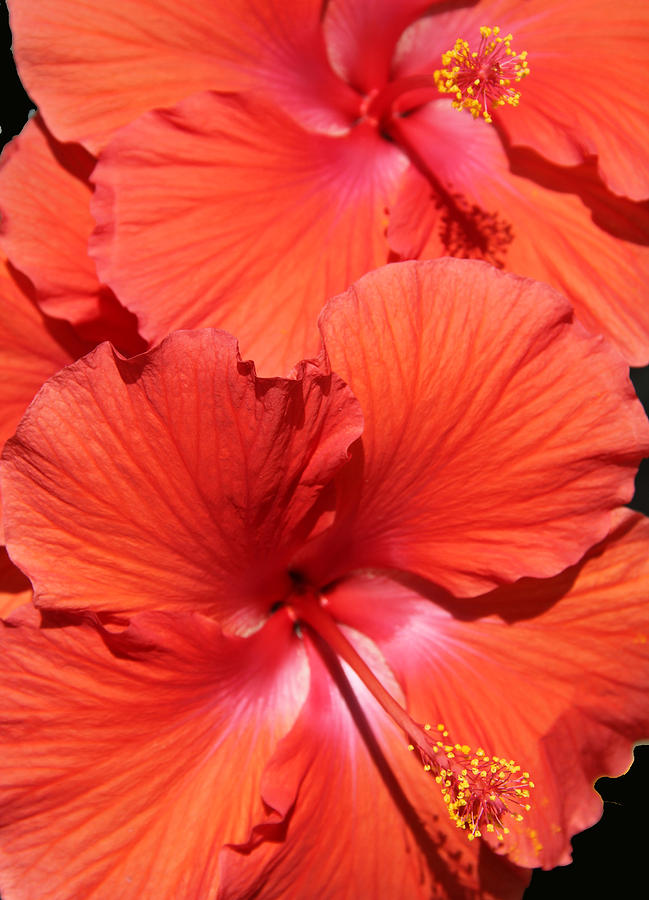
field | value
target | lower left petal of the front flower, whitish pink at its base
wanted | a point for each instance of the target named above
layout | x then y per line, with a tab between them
130	758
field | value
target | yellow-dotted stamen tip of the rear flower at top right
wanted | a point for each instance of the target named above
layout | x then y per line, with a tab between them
482	79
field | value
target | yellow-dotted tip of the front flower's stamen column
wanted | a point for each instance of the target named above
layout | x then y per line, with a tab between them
481	792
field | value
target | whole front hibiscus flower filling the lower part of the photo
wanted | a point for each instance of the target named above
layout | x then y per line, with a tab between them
256	592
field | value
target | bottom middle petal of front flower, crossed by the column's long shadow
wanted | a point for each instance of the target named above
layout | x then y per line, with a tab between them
347	785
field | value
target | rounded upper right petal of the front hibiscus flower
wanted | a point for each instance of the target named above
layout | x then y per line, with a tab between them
498	435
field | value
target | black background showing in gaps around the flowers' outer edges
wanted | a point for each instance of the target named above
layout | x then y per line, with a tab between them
611	858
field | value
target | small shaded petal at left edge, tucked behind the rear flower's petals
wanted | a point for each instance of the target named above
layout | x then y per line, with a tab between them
46	224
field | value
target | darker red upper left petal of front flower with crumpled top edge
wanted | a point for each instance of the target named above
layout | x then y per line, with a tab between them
174	480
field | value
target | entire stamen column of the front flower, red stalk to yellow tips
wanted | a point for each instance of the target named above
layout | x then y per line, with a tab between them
480	791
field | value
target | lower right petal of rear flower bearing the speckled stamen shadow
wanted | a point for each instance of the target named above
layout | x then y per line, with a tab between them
556	225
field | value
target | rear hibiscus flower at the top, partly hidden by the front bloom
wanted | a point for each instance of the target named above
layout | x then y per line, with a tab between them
310	143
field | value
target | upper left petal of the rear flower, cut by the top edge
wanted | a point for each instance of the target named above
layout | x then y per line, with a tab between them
75	57
